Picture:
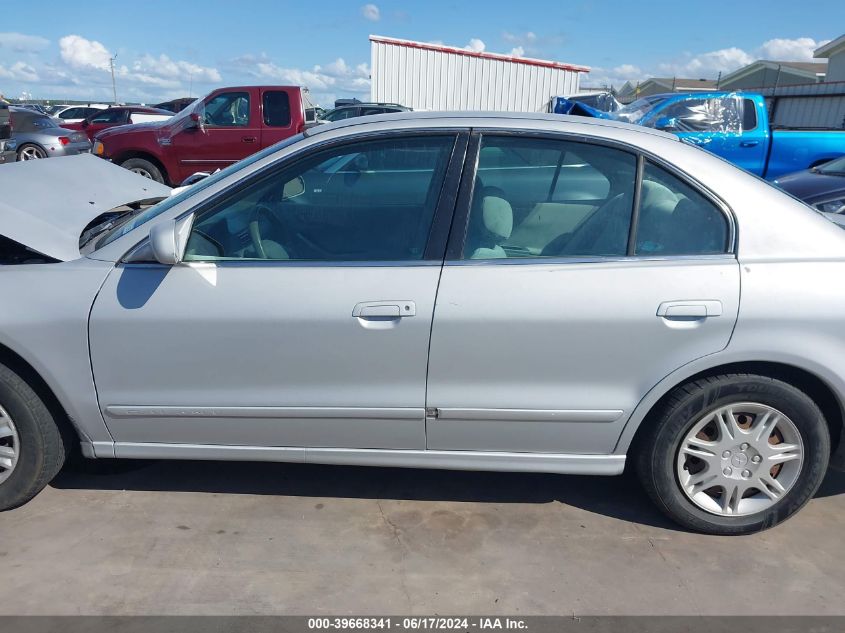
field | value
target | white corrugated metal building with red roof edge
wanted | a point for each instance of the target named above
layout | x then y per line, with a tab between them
431	77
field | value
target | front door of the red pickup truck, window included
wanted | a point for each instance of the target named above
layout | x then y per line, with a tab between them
230	131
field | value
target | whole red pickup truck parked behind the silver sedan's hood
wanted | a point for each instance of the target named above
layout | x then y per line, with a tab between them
222	128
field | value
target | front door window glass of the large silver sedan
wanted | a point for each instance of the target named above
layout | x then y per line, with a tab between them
368	201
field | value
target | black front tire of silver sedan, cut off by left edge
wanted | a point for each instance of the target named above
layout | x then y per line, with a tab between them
35	437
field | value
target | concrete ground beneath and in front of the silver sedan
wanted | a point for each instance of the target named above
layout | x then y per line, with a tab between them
232	538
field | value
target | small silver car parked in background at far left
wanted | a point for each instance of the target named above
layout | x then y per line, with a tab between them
39	136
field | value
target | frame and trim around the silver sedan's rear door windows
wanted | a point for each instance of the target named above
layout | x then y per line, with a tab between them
458	234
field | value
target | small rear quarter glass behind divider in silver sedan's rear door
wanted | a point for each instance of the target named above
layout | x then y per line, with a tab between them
675	219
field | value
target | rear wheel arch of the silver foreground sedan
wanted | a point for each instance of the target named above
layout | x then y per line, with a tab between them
810	382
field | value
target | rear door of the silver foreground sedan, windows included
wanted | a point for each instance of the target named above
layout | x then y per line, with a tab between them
553	319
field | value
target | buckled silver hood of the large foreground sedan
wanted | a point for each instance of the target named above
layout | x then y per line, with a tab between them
46	204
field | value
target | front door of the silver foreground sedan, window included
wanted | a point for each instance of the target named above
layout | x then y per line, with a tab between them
301	314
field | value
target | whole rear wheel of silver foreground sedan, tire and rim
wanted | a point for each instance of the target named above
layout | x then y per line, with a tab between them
695	463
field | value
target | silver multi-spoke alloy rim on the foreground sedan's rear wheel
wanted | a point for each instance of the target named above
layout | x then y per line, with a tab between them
740	459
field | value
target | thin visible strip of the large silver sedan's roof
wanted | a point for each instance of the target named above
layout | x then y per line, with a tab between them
410	118
